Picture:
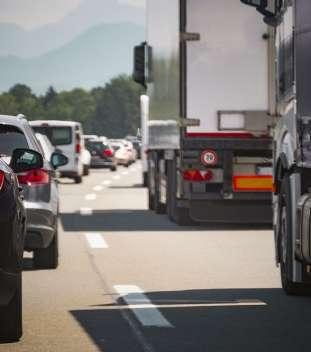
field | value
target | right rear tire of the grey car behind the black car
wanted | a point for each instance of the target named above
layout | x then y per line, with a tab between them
47	258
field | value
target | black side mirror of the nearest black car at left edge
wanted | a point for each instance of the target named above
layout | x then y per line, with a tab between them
25	160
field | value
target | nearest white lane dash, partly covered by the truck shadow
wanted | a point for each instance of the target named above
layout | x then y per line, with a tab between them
149	315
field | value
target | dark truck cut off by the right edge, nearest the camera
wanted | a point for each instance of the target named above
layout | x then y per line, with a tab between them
290	31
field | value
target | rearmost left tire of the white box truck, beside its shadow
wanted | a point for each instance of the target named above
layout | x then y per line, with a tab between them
178	215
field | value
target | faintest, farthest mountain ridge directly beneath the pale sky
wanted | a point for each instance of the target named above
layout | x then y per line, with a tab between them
20	42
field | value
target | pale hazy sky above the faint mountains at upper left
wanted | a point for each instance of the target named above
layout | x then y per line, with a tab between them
35	13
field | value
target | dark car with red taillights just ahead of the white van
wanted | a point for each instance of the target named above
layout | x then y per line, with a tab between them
102	154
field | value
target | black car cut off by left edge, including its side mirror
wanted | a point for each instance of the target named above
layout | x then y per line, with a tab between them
13	231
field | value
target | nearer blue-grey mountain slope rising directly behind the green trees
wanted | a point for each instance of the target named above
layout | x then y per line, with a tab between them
89	60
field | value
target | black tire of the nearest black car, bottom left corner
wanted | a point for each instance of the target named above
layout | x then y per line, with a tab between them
11	316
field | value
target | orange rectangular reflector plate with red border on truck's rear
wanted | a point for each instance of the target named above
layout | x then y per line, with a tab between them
252	183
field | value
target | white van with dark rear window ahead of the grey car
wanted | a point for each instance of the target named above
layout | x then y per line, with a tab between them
66	136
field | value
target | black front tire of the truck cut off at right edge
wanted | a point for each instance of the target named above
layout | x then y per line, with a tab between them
285	242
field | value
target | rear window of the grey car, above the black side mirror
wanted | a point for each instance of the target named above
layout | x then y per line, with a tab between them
11	138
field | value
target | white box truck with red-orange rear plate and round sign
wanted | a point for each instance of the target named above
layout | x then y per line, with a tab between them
208	145
